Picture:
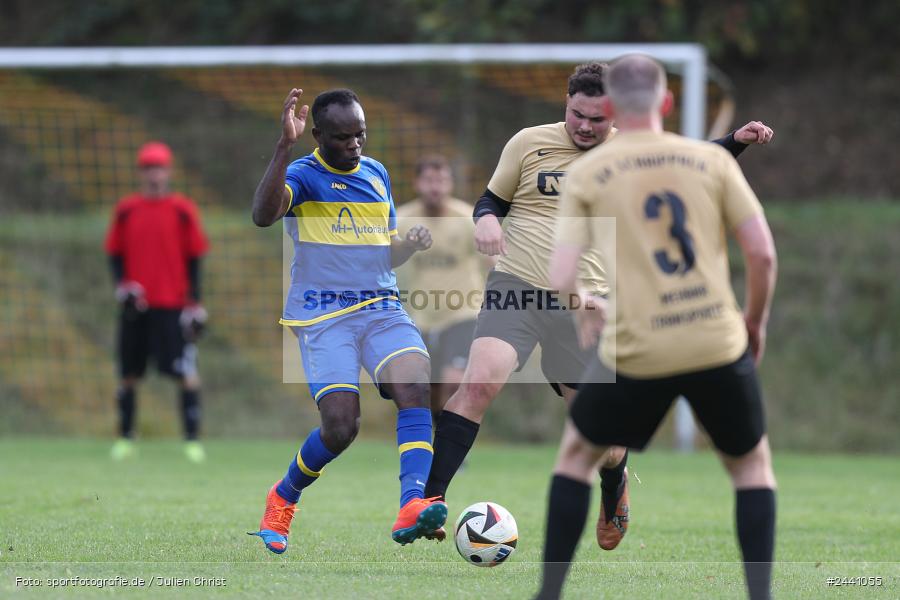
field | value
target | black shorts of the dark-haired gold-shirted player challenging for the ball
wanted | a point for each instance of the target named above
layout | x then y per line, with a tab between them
524	316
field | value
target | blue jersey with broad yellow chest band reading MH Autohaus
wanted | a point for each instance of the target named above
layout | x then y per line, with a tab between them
341	223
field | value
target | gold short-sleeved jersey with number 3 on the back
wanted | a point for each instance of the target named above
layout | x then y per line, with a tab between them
672	199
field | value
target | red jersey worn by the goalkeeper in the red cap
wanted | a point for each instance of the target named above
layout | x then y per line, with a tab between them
156	237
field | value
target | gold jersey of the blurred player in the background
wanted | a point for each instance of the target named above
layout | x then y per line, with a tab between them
451	273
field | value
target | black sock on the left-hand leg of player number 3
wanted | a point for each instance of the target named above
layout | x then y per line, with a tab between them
566	514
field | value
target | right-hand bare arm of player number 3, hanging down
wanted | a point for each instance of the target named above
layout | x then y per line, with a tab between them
760	258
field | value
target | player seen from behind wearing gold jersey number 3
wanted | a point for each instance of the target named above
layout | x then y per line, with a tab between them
675	326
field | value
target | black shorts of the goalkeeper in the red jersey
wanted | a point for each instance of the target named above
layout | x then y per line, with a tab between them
156	333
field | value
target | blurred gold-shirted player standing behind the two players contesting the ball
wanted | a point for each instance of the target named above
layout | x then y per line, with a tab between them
451	266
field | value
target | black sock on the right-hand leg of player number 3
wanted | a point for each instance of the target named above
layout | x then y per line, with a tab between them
755	512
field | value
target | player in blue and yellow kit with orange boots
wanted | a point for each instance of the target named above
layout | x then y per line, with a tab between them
344	306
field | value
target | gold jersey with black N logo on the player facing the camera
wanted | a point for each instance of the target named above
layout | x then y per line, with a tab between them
530	175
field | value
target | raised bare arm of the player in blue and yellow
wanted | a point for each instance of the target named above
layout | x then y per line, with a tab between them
271	199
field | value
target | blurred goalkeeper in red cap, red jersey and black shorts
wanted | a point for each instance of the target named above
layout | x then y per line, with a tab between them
155	243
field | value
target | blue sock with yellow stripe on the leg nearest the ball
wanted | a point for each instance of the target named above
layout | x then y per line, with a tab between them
414	443
